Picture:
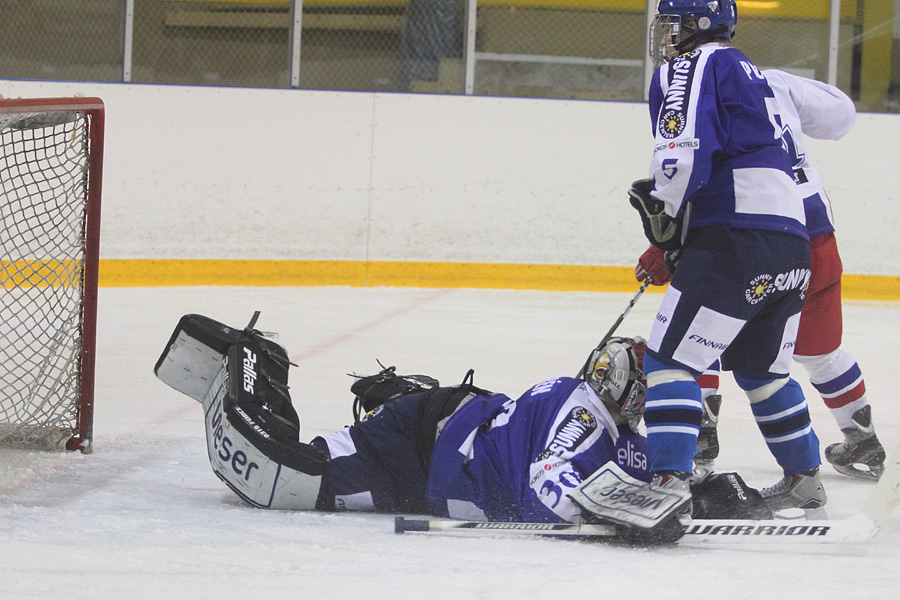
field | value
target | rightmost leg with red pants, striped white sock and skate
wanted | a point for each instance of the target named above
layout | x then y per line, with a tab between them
833	372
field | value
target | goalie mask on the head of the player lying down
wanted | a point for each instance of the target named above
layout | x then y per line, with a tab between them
615	373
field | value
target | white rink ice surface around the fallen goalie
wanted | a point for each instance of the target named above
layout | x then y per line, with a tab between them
144	517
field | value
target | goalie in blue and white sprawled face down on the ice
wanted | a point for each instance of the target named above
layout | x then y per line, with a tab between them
459	452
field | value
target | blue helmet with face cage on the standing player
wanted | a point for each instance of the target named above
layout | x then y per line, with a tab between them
681	25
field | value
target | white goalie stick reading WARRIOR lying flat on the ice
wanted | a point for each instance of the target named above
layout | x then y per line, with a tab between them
857	528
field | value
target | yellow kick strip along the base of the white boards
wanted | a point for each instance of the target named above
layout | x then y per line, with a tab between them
171	272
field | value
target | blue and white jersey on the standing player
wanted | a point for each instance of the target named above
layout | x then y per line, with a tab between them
718	151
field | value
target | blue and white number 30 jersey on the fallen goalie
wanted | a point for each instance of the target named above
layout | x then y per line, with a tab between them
500	459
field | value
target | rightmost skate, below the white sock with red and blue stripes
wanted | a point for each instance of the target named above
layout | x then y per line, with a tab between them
860	455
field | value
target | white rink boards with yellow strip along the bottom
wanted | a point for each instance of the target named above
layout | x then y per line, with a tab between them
207	185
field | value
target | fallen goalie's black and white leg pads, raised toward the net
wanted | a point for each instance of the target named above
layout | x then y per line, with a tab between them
252	430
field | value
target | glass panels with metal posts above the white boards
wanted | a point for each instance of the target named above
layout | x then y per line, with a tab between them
540	48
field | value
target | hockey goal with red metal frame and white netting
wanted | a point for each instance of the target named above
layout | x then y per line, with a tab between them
51	158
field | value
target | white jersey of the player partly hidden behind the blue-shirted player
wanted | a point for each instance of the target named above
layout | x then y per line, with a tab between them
818	110
